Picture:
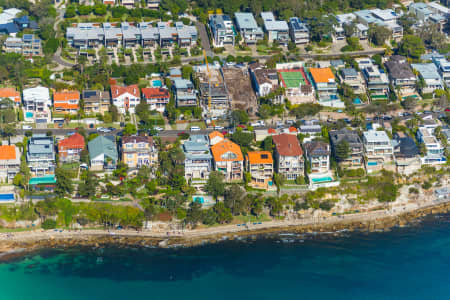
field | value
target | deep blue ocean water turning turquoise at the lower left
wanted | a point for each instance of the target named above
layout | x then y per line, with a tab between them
406	263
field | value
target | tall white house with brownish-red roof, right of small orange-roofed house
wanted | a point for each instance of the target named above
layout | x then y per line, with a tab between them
288	156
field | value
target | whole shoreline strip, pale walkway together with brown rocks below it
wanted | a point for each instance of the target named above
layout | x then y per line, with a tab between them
16	244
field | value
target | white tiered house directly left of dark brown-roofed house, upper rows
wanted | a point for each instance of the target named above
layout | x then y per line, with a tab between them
376	79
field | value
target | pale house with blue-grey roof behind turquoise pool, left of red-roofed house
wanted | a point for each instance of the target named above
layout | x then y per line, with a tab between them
41	155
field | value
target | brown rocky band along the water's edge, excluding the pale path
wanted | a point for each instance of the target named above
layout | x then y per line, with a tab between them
16	248
